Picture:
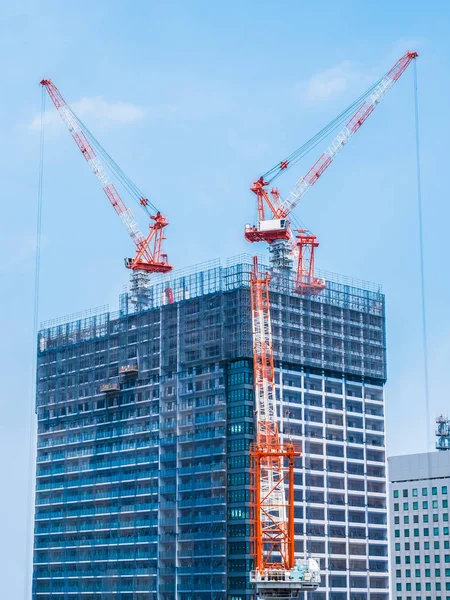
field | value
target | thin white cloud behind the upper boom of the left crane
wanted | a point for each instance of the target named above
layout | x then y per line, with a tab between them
98	108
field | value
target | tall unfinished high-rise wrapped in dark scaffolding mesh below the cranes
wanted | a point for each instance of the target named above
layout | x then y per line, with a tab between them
145	417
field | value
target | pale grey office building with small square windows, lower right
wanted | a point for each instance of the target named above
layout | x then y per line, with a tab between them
419	526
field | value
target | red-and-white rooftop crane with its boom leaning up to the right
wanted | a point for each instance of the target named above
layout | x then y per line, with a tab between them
273	226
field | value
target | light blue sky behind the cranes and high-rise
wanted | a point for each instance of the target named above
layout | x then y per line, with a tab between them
193	99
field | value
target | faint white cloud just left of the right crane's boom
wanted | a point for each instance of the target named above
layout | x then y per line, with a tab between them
327	83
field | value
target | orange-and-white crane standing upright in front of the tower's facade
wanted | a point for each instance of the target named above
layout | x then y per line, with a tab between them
276	574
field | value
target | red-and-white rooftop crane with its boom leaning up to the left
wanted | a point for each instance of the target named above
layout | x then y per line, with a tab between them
149	257
